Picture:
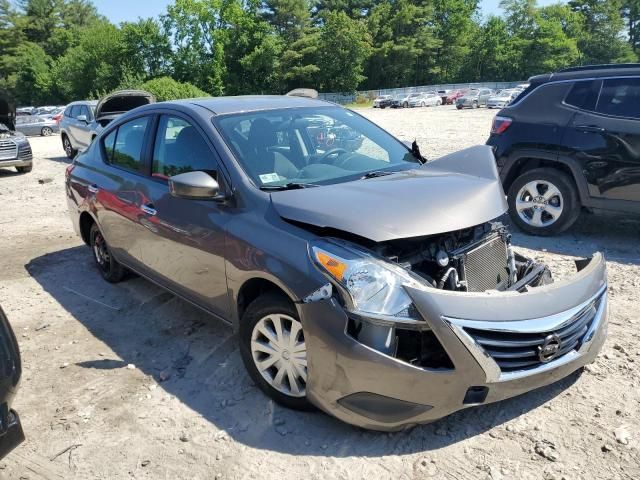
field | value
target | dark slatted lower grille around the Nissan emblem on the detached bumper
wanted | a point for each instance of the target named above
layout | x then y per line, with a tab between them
522	351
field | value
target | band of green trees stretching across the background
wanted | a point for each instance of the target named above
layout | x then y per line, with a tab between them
61	50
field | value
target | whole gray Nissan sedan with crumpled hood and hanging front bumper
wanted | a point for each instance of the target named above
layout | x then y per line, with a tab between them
360	279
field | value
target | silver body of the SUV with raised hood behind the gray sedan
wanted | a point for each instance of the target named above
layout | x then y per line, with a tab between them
75	126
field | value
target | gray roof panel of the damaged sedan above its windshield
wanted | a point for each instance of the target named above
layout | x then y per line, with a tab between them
250	103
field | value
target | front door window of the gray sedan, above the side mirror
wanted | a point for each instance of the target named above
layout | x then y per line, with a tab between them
180	148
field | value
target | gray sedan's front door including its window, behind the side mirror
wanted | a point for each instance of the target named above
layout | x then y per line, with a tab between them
185	243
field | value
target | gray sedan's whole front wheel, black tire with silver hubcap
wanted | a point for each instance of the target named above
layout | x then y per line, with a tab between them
259	317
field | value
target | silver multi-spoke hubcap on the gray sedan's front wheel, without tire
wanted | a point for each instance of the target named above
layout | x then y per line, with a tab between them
280	354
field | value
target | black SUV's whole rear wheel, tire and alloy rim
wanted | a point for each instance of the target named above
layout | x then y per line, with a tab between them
557	202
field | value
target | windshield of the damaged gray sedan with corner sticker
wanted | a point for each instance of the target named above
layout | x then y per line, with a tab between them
317	145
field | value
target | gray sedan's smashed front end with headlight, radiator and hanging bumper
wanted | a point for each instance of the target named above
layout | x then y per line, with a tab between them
454	320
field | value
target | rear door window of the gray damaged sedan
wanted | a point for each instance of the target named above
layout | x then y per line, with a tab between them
123	146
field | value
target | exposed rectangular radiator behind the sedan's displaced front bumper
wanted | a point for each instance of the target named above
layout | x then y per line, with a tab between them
485	267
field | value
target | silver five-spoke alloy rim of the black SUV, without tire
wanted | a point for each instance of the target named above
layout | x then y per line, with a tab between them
539	203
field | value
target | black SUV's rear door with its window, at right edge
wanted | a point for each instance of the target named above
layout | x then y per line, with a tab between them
605	136
